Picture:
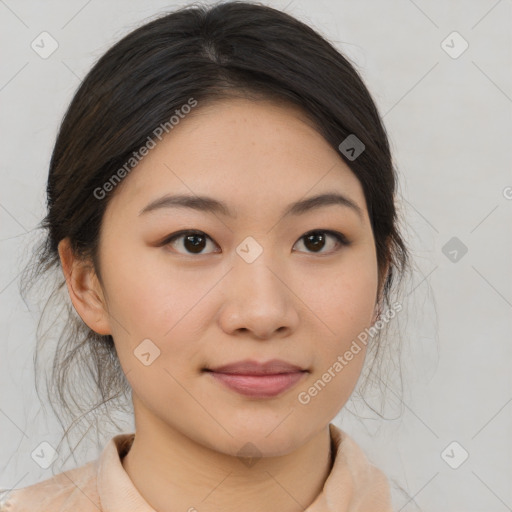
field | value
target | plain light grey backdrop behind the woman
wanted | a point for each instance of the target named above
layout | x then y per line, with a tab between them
449	124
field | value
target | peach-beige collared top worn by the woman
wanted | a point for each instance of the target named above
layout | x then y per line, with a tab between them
353	485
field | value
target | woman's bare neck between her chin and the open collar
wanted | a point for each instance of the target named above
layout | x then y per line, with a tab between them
172	472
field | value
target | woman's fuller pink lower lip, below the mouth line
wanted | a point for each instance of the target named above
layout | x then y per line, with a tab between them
261	386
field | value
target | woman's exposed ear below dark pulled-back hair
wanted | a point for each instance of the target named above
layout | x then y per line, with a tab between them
84	289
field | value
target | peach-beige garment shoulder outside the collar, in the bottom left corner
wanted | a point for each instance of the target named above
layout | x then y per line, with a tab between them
75	490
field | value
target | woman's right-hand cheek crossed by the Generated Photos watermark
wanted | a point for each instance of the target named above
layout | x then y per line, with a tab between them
344	306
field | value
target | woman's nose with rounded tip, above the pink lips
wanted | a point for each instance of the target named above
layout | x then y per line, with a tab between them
259	300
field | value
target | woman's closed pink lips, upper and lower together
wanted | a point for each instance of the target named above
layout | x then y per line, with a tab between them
262	380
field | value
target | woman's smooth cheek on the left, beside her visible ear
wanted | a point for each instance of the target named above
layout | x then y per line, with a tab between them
158	302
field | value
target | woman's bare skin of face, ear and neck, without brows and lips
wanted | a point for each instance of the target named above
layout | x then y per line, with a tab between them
293	302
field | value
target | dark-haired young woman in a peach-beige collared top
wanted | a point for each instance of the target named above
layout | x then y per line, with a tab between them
221	204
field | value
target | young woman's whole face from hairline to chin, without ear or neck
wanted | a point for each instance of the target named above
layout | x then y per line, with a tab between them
249	286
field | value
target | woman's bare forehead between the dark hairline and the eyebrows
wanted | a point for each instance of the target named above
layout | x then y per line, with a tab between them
249	154
